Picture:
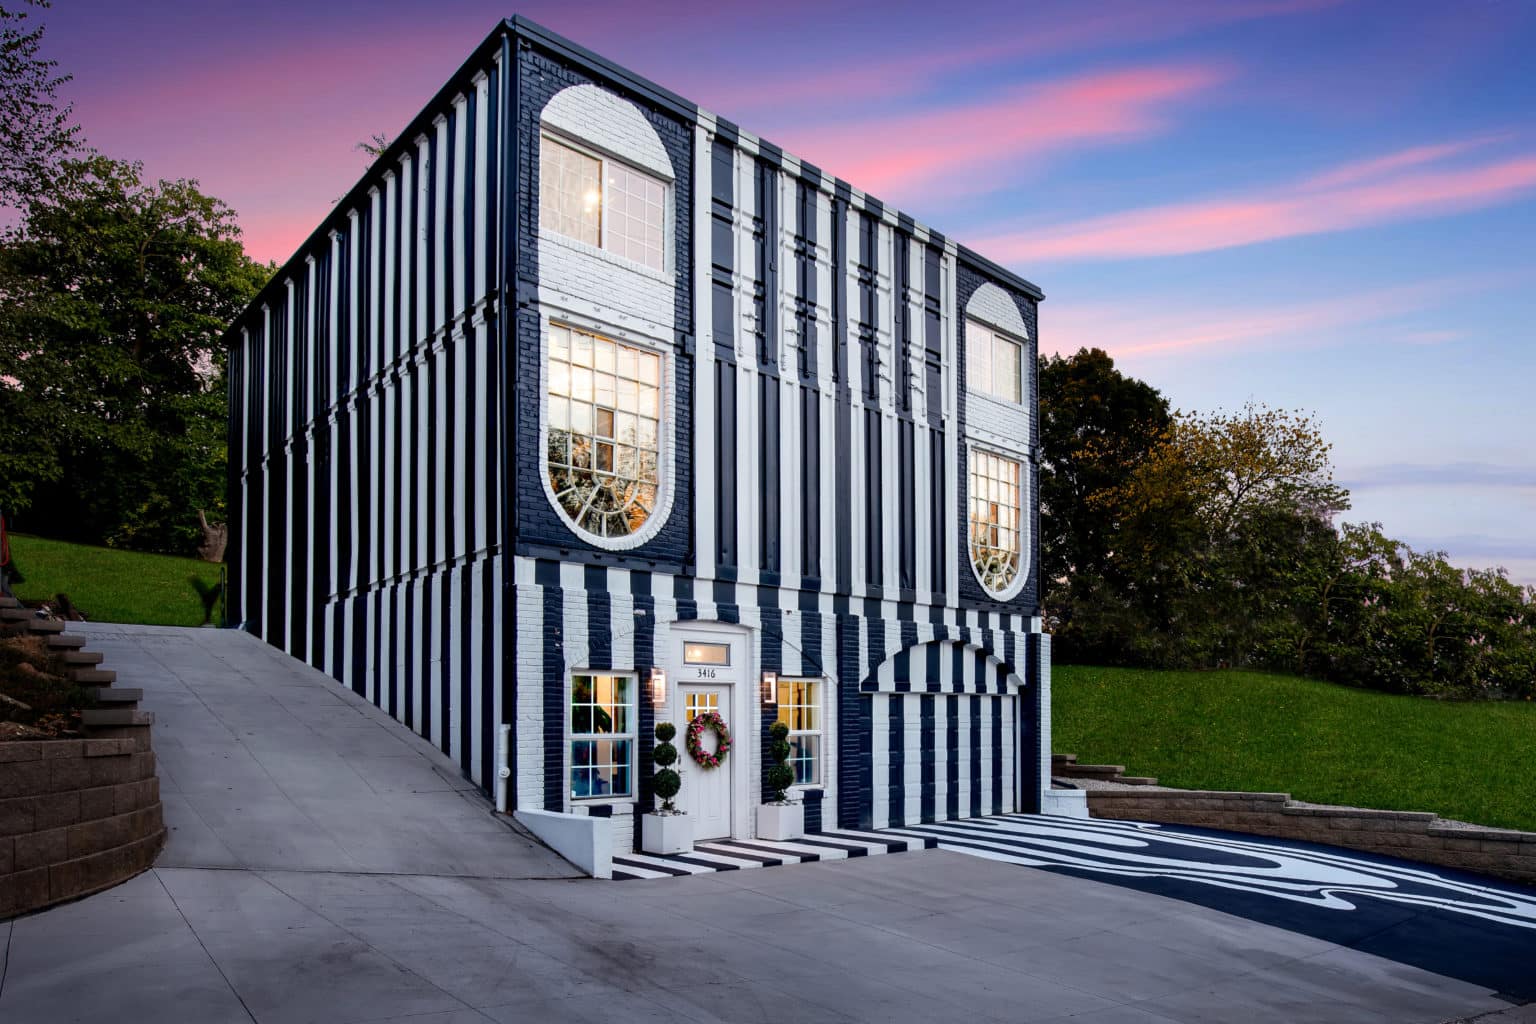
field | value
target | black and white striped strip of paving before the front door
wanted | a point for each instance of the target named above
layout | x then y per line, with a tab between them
741	854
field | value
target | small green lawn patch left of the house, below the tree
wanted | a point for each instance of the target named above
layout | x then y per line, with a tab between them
111	586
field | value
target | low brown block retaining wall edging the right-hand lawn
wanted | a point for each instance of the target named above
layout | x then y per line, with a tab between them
1408	834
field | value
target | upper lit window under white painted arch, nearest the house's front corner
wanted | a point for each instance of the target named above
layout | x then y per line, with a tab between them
603	202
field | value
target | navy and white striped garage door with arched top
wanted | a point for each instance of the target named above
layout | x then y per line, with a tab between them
947	736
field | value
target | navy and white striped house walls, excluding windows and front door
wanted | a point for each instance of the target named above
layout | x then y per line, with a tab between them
815	463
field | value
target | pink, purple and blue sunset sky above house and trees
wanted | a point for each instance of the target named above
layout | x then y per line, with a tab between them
1320	205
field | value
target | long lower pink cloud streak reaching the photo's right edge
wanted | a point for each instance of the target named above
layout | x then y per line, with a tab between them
1363	194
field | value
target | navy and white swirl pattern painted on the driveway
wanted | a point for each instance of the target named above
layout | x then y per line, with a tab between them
1448	922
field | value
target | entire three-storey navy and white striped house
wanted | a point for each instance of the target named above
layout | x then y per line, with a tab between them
583	383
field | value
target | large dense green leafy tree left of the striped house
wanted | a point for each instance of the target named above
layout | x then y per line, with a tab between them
114	294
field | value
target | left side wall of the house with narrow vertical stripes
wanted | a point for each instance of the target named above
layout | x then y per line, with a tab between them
365	454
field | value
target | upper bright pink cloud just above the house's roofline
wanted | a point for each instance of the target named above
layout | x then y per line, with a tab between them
896	154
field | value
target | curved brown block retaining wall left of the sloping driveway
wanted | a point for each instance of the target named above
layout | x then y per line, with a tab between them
76	818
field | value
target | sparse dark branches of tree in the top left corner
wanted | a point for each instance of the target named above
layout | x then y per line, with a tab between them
35	130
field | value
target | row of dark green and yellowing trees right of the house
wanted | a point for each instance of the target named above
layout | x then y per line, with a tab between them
1185	541
